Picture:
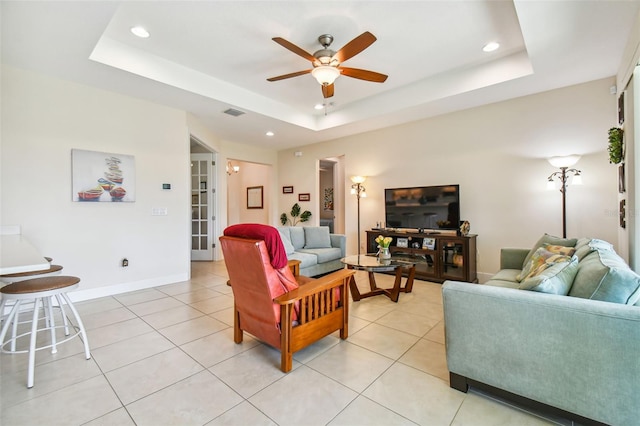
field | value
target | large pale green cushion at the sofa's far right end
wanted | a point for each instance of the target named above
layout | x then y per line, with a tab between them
603	275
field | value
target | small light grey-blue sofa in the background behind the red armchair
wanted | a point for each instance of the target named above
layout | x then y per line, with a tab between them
318	251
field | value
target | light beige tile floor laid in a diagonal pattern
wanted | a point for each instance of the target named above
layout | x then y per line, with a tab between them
166	356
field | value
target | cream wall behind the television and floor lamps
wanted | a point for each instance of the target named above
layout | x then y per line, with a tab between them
497	153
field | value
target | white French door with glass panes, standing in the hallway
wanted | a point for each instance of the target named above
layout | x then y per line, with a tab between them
203	189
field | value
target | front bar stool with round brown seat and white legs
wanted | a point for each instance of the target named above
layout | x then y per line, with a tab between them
40	290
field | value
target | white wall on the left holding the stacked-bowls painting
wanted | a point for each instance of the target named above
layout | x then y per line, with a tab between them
43	120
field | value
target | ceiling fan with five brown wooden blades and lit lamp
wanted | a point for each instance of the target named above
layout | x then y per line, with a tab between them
327	63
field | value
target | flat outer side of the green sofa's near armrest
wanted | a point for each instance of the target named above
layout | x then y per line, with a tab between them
563	351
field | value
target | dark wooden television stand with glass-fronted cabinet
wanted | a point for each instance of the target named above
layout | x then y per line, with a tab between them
438	256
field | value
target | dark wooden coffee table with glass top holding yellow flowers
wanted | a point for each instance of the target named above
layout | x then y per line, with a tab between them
371	264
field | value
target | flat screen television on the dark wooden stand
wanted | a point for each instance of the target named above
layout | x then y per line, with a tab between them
423	207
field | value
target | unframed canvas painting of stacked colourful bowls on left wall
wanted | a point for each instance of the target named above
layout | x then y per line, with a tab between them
102	176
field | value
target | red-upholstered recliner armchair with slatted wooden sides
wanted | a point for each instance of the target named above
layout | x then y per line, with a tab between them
284	311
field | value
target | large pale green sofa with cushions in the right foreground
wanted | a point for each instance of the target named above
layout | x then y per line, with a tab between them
567	342
